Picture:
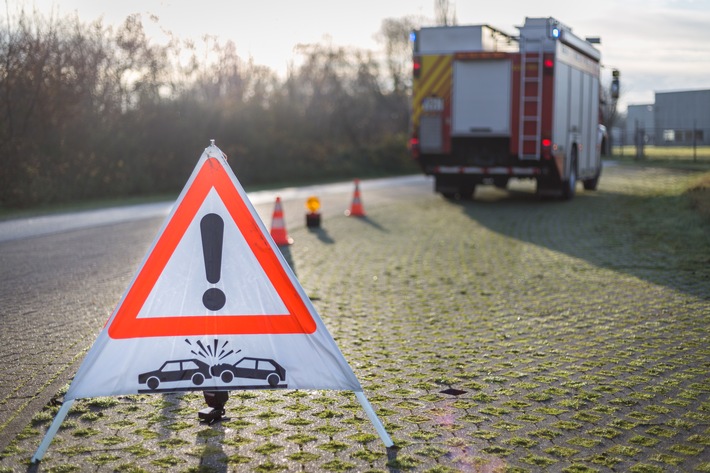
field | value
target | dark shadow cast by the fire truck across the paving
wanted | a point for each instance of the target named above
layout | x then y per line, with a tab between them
658	239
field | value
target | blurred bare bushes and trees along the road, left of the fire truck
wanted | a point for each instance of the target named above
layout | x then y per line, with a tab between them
91	111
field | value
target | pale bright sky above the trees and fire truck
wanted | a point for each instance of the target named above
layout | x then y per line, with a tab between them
657	45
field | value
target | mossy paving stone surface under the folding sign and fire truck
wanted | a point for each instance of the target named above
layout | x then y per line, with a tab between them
502	334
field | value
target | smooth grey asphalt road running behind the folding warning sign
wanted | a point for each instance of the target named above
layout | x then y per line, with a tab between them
62	275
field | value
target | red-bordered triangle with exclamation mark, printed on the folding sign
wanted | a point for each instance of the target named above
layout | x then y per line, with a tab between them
254	292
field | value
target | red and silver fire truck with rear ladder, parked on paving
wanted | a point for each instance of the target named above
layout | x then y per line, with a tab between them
489	106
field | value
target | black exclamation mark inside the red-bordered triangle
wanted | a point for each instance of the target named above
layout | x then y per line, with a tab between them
212	228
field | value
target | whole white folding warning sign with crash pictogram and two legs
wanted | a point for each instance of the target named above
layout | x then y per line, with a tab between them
214	306
